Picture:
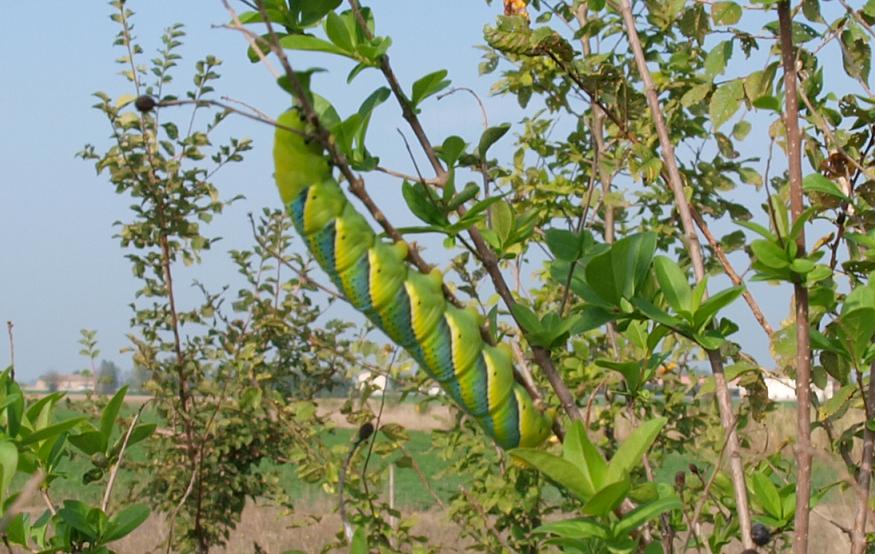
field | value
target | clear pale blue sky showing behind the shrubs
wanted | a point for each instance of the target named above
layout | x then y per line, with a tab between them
62	270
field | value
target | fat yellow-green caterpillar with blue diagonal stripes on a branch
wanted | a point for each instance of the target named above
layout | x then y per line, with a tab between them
407	305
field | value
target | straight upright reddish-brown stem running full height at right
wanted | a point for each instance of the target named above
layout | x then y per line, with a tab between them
803	349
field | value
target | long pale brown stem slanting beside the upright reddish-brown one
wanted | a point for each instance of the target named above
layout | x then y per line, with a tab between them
676	185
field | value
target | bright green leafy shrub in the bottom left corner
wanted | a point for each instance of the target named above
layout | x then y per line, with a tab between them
33	444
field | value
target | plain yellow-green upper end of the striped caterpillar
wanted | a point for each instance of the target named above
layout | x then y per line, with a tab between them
298	161
